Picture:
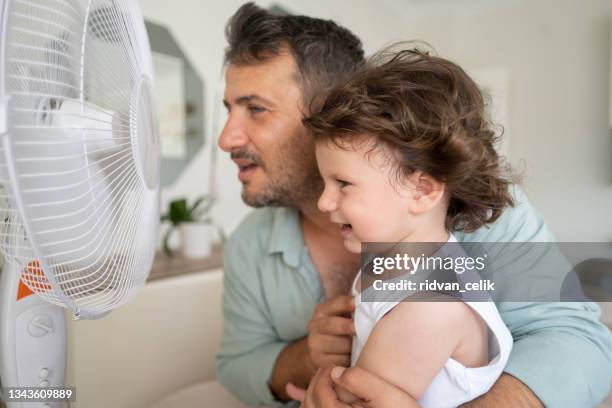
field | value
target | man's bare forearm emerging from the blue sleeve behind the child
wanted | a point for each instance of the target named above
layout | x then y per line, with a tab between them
507	392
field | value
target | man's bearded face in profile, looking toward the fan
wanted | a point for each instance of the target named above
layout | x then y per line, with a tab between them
265	136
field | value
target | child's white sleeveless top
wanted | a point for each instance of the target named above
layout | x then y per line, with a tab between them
455	384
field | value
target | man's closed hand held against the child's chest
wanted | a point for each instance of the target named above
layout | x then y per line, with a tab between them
330	332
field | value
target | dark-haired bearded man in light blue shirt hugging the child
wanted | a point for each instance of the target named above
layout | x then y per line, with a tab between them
287	273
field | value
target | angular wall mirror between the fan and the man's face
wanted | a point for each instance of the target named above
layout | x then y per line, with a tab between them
180	103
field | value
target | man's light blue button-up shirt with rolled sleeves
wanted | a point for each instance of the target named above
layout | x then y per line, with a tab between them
561	350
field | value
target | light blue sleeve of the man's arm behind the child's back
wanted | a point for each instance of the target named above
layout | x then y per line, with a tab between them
561	351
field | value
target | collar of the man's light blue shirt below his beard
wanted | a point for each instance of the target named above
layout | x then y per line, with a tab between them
286	237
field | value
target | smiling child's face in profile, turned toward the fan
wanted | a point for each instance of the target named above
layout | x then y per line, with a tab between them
361	197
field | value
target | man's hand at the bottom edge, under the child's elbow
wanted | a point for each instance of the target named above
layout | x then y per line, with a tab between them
373	391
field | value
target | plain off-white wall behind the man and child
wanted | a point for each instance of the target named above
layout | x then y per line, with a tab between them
556	55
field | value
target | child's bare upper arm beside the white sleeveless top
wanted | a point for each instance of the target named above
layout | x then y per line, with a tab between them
411	343
